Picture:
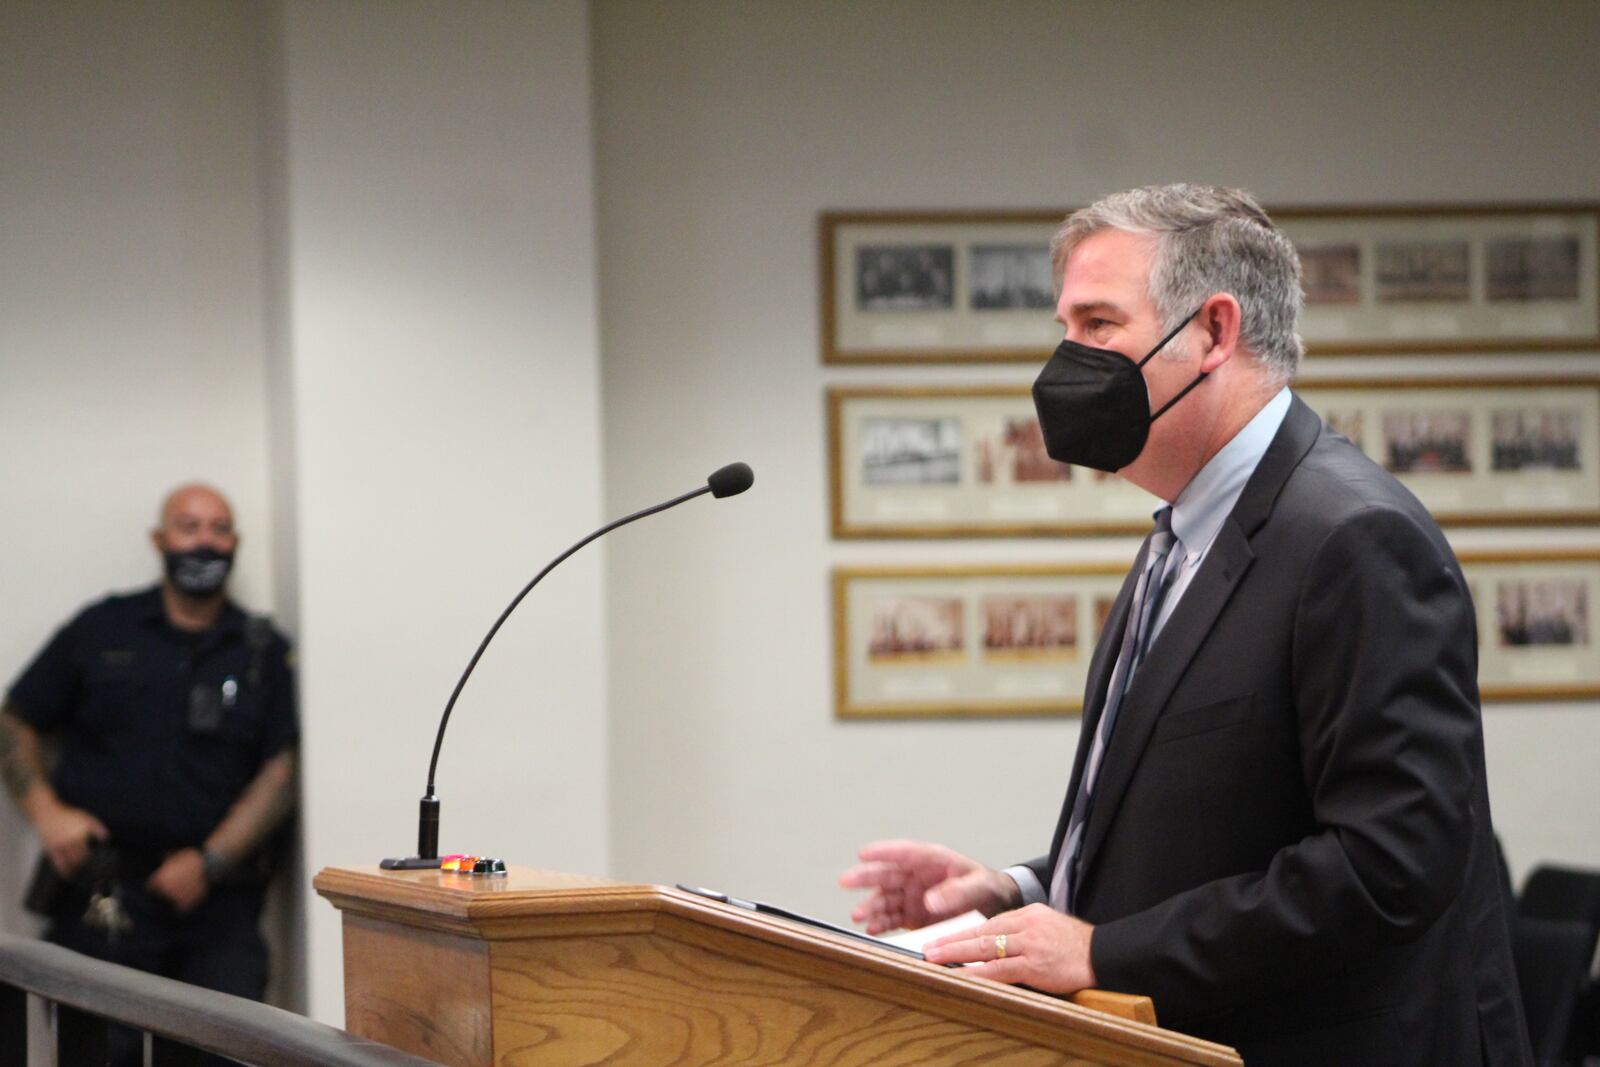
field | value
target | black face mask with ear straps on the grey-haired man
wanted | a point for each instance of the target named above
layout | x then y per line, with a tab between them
1095	406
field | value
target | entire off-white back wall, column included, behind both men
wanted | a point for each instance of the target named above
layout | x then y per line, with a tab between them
340	258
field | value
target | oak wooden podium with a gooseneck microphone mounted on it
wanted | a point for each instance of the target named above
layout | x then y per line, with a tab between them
548	969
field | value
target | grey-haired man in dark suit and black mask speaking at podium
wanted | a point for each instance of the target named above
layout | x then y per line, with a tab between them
1278	823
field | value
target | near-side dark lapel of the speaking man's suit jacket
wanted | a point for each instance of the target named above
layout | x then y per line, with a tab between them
1188	628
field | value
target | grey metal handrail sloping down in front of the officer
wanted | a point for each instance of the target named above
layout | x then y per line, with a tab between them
199	1018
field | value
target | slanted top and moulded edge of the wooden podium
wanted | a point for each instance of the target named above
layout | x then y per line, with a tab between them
530	903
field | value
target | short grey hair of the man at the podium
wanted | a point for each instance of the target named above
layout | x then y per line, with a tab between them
1209	241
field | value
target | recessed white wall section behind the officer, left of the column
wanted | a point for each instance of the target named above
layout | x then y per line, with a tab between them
130	310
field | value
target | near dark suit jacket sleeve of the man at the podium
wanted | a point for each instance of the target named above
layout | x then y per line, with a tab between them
1385	665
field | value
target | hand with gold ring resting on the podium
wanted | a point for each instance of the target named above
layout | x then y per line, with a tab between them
1042	948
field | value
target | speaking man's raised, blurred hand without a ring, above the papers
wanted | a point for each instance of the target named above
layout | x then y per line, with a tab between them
916	884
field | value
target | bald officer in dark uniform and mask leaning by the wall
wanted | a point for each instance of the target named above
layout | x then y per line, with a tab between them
170	719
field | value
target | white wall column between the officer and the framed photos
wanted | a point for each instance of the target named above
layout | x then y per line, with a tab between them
438	239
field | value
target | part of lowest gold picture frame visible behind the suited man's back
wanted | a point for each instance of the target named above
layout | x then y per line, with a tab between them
1537	623
